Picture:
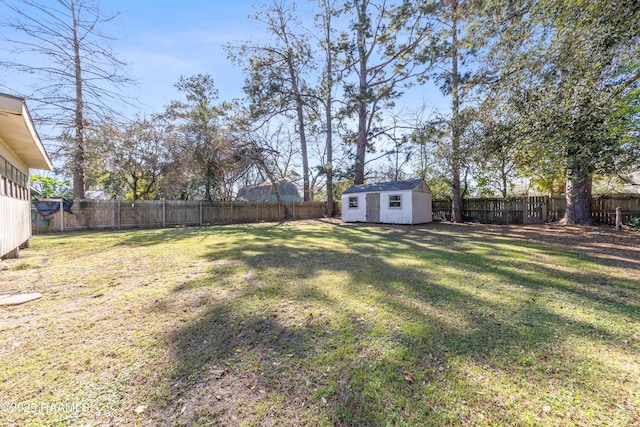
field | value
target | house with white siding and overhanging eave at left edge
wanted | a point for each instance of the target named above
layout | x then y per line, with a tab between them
20	150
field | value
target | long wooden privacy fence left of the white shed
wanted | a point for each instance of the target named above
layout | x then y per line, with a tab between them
113	214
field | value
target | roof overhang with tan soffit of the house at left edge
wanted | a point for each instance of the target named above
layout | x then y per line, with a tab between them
19	134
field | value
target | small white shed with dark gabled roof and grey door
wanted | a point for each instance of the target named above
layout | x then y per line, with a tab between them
395	202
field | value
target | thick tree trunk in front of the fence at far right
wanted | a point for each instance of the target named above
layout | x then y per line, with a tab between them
578	197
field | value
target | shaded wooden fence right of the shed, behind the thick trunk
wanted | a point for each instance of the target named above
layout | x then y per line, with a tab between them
531	210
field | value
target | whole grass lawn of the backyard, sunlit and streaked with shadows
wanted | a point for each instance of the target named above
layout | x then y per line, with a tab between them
323	324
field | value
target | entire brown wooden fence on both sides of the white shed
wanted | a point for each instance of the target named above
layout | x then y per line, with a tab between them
113	214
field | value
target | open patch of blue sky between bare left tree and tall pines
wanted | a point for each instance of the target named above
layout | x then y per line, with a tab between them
161	40
